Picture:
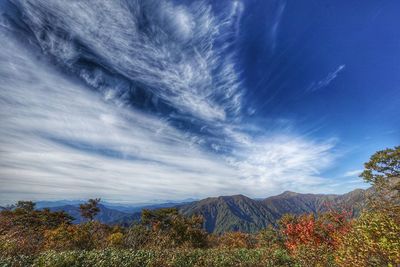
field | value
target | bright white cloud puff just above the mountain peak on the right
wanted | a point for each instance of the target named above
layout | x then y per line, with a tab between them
282	162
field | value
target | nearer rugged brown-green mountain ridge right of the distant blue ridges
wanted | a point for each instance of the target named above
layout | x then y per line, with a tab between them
240	213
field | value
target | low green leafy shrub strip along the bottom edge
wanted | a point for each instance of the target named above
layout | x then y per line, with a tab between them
139	258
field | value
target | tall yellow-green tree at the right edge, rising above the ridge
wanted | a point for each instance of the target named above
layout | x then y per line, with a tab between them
374	238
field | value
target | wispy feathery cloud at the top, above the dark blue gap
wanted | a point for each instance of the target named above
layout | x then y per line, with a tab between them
177	57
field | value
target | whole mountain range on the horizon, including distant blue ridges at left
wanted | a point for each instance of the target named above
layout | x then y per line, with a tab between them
229	213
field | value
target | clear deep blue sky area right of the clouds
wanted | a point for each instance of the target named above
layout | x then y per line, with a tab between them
331	67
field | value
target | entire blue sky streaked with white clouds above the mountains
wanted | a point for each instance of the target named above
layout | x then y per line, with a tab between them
140	101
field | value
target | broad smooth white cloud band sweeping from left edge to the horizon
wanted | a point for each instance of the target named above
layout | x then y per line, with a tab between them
60	140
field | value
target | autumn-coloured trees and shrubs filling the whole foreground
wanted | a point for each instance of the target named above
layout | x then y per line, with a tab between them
30	237
